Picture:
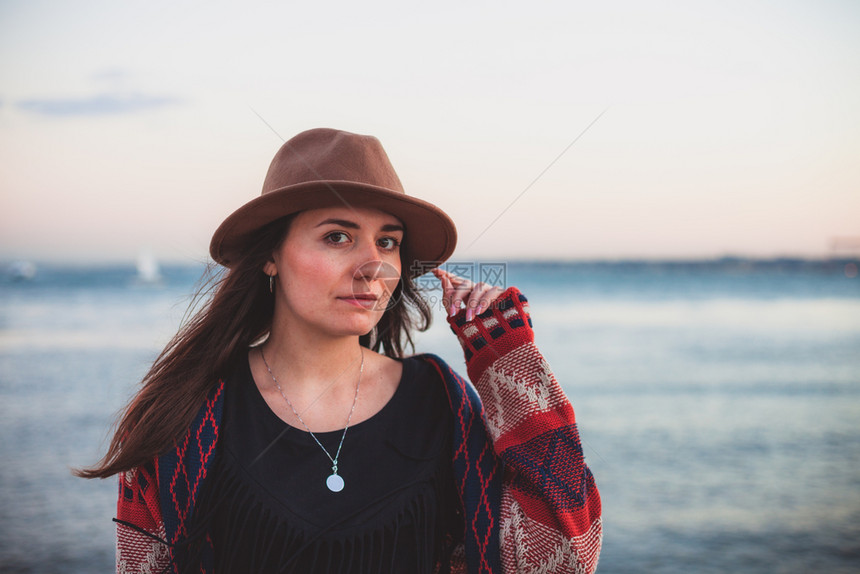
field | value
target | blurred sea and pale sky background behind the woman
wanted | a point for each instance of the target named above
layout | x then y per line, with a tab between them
674	185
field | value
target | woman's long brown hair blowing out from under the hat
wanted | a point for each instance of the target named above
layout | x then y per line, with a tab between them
236	311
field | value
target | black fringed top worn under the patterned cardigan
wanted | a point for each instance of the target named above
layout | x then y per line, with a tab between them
267	507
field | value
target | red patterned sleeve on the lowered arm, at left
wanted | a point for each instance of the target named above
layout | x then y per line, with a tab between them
140	546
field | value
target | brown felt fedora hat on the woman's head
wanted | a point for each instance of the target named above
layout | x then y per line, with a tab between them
325	168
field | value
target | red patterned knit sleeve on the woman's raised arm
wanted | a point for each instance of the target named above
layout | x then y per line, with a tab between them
550	503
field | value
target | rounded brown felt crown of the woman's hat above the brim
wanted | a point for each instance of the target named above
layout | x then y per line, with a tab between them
331	155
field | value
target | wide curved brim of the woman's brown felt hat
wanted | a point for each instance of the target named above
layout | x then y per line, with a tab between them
429	238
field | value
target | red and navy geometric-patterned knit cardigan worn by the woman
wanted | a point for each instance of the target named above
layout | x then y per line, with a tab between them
529	502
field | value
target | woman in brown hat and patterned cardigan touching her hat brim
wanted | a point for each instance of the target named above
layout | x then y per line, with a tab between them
283	430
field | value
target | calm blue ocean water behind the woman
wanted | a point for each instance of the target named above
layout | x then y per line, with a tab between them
719	405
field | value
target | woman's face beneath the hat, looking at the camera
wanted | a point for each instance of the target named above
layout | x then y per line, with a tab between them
336	270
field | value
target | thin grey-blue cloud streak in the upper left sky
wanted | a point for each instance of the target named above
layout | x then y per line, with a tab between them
105	104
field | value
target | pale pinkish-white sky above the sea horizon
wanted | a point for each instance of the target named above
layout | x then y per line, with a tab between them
553	130
